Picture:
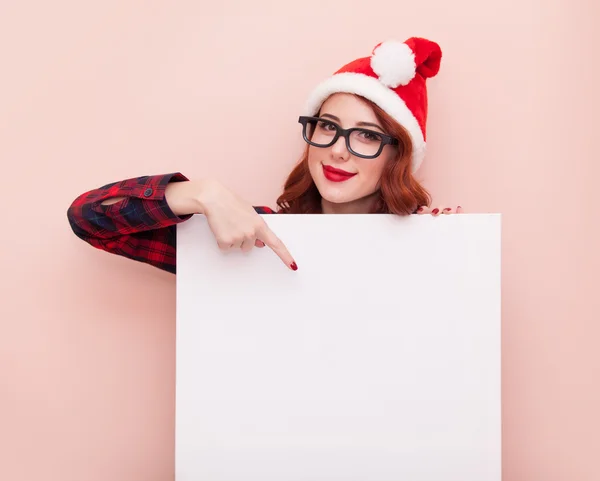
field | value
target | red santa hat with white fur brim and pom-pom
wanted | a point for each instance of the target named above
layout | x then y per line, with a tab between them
393	78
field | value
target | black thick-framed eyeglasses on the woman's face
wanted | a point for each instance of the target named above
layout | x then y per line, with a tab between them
363	143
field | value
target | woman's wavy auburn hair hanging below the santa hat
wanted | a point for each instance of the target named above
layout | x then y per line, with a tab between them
399	192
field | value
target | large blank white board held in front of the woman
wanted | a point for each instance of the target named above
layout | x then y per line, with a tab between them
378	360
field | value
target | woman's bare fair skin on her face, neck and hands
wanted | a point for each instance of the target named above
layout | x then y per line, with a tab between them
236	225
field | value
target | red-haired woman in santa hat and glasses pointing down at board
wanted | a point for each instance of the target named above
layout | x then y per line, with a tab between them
365	133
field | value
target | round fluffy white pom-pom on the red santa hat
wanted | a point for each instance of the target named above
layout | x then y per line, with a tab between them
394	63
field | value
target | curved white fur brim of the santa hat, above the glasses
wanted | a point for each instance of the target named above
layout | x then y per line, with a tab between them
377	93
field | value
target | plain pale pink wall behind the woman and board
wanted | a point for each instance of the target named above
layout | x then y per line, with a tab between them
101	91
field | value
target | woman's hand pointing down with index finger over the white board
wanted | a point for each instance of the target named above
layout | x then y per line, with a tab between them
236	225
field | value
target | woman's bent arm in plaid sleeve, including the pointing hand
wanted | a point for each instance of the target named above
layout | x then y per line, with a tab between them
136	218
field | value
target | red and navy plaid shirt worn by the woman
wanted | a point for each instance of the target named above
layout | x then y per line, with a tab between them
141	227
